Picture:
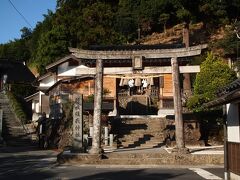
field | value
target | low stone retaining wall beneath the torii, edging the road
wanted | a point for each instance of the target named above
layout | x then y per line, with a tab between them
141	159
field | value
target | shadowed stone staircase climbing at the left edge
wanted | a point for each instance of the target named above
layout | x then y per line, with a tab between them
14	133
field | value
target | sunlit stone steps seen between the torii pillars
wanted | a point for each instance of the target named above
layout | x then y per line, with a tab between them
141	132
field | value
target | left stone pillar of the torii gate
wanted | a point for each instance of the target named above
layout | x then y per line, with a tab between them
96	141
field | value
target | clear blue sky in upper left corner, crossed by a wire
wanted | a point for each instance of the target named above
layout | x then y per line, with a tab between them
11	22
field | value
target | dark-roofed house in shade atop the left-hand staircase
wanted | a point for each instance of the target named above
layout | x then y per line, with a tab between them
13	72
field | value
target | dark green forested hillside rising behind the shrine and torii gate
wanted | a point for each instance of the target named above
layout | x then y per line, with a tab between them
80	23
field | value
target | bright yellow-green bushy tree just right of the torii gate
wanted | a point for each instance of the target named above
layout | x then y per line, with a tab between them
214	74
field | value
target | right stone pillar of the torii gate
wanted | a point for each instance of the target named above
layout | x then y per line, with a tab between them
177	104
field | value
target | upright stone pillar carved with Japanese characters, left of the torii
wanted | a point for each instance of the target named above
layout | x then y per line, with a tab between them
78	124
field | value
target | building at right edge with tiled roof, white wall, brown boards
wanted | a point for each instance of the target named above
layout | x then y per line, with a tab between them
230	96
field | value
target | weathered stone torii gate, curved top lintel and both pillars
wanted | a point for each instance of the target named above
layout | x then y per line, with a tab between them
102	55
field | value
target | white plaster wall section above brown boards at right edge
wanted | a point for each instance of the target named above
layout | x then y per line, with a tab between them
233	129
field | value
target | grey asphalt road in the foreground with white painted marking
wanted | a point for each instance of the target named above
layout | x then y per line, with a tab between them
37	164
